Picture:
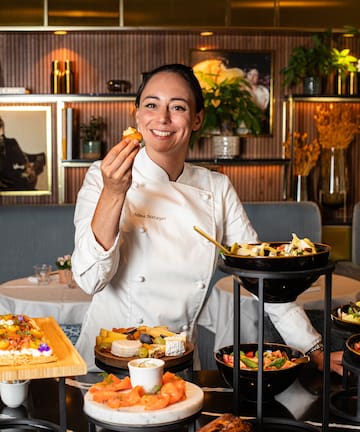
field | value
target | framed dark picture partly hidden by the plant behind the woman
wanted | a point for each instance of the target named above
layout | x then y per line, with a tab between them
256	67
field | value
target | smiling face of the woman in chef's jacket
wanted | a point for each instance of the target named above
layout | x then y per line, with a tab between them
166	115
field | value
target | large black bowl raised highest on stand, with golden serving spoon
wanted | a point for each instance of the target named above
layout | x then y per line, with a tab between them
282	289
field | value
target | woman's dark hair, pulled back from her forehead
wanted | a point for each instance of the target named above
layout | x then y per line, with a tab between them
184	71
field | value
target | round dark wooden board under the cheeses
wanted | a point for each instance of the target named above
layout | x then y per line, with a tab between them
121	362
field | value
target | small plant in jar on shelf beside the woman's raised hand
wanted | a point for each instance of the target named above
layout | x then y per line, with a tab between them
90	135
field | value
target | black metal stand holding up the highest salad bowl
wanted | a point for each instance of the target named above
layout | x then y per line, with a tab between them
278	424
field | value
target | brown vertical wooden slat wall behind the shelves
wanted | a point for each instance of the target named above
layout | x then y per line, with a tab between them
101	56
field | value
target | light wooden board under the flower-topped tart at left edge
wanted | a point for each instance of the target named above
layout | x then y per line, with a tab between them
69	362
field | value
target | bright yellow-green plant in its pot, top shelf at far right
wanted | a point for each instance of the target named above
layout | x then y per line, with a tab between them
345	66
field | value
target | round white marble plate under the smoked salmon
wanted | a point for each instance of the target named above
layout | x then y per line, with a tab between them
137	416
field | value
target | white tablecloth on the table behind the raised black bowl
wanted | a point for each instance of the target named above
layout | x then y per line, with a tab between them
218	313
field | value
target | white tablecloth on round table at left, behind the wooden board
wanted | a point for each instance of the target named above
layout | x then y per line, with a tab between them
25	296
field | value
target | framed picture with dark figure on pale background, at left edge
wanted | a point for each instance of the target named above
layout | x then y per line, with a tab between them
25	150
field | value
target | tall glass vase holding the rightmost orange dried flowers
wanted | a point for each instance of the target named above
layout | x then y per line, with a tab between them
334	177
